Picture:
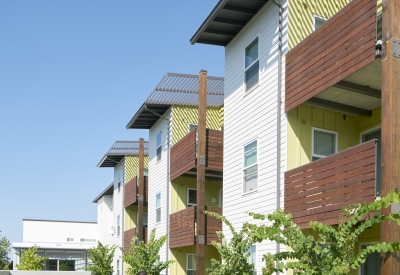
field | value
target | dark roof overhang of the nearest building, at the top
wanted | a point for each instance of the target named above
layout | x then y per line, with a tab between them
226	20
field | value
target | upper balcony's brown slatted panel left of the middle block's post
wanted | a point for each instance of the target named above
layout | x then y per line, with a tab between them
183	155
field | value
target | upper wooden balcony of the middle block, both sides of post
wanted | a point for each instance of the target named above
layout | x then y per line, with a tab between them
183	155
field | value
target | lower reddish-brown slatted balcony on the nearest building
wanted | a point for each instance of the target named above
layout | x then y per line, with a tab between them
319	190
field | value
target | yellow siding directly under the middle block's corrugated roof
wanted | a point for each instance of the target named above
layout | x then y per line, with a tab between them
183	115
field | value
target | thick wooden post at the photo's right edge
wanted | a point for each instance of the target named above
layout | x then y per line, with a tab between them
390	126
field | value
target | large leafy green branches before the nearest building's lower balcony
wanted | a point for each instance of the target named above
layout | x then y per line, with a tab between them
333	251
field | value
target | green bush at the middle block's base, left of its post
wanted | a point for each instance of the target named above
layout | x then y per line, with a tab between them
144	256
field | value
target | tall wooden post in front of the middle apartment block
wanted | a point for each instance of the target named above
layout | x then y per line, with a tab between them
201	169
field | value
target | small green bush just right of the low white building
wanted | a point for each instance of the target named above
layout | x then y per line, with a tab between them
101	260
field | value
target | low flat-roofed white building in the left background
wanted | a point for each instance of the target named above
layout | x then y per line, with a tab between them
64	243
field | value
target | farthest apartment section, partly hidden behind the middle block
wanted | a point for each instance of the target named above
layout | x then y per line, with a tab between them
117	204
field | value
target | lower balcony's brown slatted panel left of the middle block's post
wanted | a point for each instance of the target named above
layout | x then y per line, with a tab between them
182	228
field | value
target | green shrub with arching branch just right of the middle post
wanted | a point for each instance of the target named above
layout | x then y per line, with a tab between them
234	254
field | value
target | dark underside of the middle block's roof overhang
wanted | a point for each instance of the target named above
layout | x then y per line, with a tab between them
147	116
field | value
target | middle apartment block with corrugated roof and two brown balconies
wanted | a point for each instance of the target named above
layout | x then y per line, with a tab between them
171	115
